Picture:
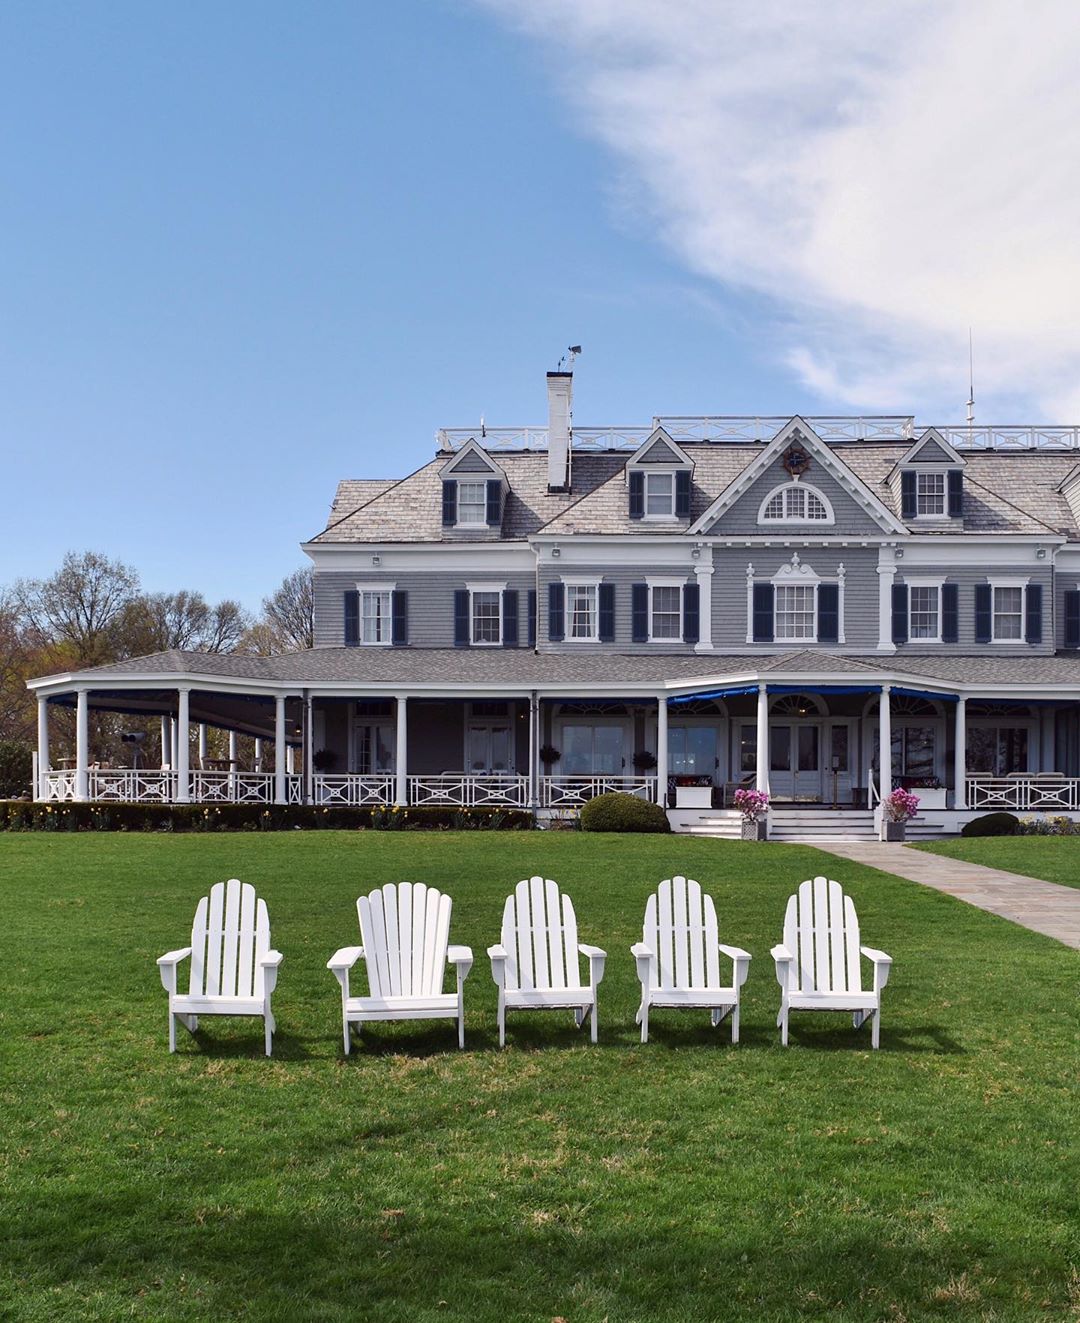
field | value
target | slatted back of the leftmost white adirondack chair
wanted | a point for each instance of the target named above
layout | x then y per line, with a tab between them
230	936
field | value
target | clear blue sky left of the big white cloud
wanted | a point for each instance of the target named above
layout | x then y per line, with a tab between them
251	249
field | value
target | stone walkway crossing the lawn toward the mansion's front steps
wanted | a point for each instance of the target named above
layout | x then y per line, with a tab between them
1042	907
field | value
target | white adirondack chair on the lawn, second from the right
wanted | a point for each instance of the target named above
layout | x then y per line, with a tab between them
680	956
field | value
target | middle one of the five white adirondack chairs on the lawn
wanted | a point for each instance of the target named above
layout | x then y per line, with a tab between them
535	966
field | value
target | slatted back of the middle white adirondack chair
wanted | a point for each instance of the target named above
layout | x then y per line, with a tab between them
541	939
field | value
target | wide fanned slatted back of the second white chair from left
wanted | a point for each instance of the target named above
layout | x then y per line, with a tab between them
406	931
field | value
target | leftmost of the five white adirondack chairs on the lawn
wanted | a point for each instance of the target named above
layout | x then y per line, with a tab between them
234	969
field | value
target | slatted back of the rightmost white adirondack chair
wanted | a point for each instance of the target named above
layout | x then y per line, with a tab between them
821	931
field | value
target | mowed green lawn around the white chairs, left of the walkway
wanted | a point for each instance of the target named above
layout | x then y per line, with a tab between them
680	1181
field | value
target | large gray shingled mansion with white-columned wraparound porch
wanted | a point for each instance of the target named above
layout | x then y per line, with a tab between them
543	613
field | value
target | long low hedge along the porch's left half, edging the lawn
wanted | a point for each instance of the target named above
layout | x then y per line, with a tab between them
23	816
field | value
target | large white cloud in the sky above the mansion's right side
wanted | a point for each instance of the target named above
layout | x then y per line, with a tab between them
889	174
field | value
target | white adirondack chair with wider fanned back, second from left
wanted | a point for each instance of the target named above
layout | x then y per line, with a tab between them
406	931
